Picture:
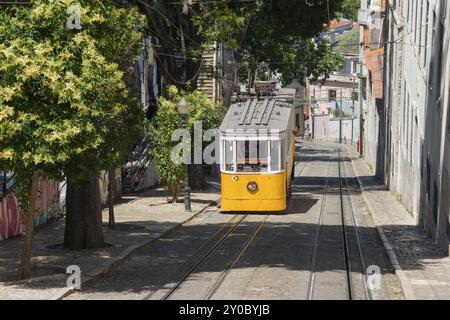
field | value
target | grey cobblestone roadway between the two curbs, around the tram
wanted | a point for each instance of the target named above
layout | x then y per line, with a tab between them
276	264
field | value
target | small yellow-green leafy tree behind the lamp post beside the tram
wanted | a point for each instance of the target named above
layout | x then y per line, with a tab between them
167	121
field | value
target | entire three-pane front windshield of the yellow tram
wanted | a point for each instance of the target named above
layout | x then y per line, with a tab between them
252	156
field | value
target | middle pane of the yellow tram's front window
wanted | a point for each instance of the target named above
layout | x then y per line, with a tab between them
252	156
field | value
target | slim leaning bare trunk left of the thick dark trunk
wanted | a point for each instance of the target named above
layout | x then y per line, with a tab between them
24	269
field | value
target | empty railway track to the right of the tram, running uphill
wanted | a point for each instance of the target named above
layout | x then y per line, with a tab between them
349	231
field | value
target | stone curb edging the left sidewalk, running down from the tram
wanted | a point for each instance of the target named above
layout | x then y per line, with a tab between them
101	271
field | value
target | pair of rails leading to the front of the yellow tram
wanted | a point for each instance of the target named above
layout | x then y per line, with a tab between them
212	246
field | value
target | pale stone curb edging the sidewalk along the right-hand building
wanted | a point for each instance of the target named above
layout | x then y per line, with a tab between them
404	280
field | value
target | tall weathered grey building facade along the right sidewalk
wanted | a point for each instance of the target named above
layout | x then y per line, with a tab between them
414	132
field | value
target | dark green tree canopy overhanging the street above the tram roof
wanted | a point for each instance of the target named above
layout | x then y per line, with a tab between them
257	31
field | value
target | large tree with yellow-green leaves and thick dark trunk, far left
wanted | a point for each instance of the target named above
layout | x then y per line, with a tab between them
65	108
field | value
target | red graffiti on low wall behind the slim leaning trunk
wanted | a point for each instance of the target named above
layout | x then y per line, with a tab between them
48	206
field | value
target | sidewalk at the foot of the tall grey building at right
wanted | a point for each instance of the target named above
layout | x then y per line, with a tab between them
421	265
